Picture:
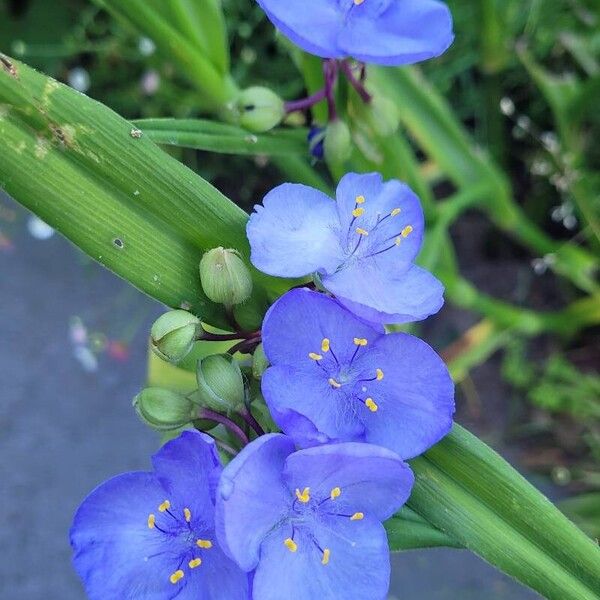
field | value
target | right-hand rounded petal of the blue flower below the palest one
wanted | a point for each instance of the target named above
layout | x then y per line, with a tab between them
415	397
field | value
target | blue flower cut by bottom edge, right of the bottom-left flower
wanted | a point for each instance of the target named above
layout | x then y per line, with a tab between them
309	522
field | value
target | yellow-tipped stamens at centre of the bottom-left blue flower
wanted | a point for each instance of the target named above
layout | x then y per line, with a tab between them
179	525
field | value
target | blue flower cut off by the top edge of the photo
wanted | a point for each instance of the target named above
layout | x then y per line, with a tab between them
386	32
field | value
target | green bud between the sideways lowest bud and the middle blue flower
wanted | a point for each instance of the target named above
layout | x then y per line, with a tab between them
220	383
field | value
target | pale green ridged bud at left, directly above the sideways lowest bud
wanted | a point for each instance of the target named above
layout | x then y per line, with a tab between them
173	334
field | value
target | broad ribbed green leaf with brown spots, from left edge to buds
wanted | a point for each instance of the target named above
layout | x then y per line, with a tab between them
121	199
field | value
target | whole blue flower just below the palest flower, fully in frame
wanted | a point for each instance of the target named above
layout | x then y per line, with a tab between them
335	378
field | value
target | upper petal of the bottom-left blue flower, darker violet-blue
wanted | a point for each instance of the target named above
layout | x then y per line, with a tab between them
187	467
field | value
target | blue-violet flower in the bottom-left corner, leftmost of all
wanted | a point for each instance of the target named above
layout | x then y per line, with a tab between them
152	535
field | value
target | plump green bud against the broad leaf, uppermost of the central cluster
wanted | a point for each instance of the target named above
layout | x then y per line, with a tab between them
225	277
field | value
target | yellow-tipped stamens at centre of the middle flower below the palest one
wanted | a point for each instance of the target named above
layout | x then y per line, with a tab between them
340	375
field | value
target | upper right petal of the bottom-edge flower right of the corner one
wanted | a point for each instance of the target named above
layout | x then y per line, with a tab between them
372	480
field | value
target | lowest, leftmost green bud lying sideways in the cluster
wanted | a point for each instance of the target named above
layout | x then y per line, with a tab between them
163	409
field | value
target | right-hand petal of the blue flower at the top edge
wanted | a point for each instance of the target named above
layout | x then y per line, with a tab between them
408	31
